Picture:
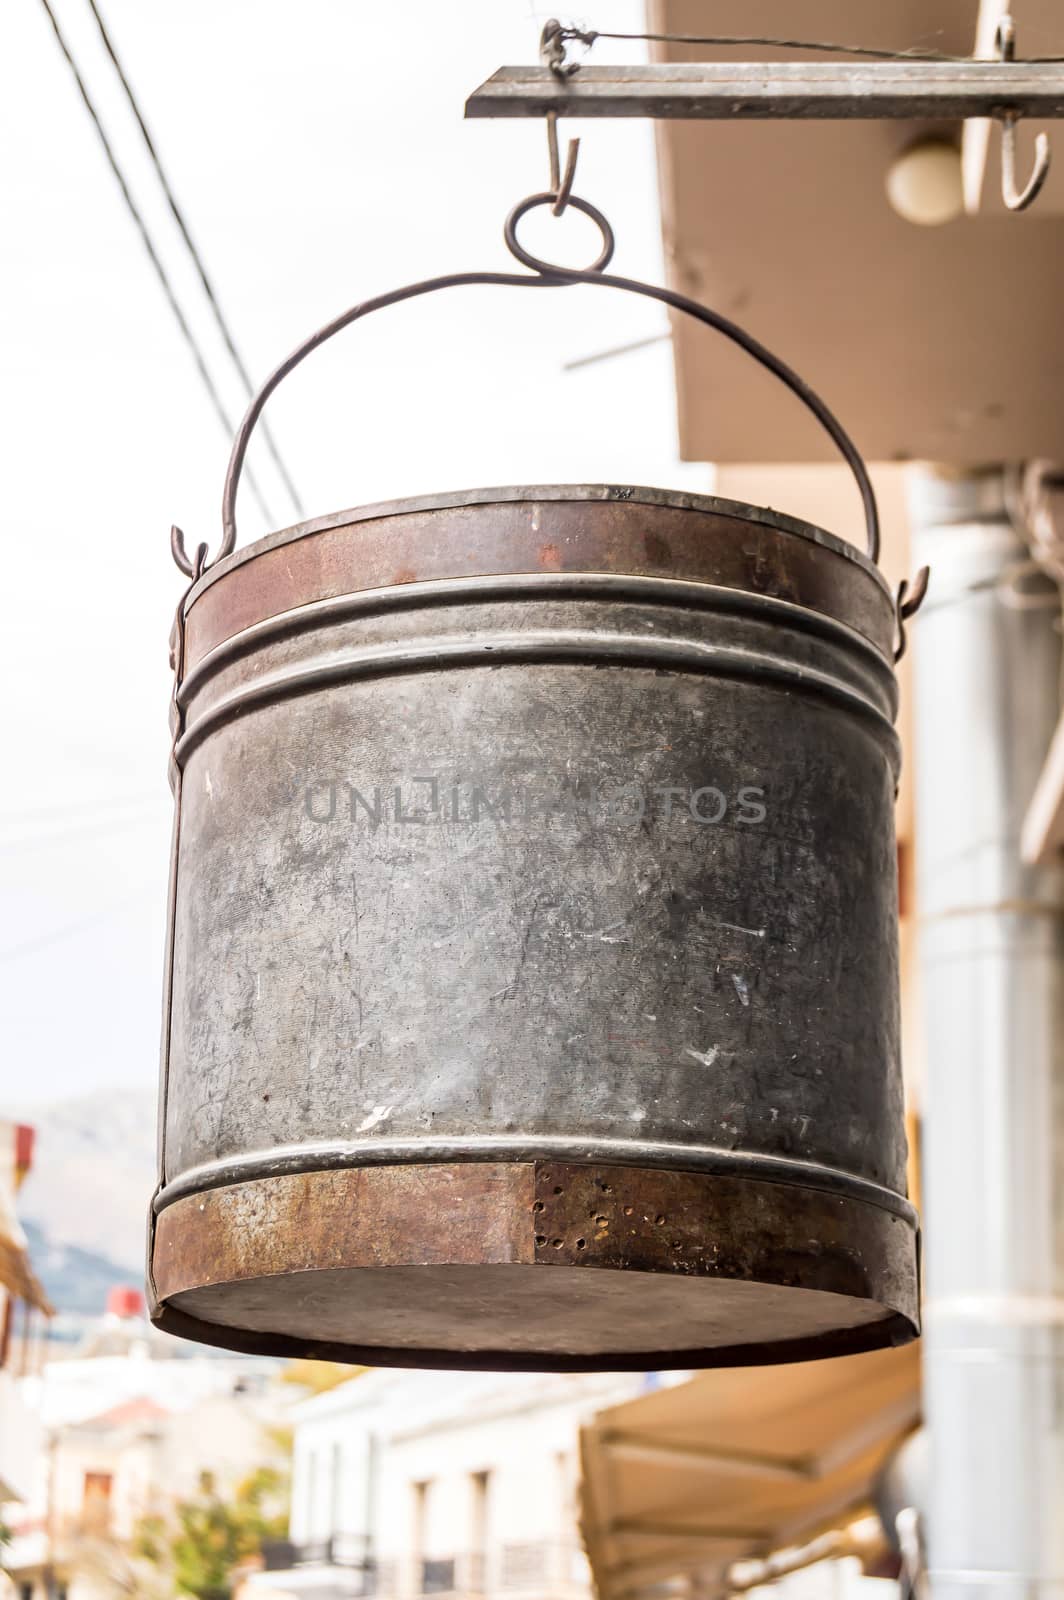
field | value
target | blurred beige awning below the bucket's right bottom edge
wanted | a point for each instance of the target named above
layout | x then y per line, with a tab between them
737	1465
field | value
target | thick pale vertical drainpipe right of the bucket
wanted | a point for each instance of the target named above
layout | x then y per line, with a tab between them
986	684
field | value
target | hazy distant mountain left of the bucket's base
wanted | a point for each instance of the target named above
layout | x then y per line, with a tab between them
86	1201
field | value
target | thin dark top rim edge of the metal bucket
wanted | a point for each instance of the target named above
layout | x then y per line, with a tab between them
641	495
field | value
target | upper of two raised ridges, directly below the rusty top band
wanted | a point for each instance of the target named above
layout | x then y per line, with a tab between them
535	586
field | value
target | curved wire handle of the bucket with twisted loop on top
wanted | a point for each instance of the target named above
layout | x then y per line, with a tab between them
545	276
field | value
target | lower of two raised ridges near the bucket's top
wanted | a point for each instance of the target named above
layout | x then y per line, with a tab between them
562	647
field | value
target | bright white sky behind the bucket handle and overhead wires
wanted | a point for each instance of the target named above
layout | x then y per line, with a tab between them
321	154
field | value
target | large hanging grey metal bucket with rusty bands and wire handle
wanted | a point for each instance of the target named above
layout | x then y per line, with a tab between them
534	978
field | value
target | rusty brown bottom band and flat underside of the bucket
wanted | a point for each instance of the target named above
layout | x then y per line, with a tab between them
426	1260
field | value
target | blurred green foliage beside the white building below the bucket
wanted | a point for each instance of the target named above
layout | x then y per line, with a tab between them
210	1535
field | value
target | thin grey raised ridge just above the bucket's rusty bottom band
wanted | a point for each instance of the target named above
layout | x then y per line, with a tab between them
476	1148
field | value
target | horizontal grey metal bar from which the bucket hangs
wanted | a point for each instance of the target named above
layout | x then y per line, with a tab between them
788	90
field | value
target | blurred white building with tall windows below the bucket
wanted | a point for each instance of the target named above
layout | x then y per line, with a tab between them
439	1484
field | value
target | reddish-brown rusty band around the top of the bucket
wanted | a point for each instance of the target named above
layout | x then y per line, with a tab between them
556	530
